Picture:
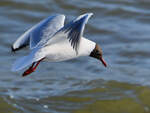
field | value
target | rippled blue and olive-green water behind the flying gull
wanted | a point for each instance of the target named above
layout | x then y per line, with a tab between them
81	85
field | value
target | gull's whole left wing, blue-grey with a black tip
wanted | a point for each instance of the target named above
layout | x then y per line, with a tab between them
40	32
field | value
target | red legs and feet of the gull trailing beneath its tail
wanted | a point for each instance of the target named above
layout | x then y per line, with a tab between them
32	68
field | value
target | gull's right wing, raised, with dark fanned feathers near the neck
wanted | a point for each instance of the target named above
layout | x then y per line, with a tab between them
73	31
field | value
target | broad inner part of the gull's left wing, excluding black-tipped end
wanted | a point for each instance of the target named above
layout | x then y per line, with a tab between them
46	30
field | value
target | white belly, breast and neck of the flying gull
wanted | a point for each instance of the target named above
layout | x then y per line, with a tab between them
64	51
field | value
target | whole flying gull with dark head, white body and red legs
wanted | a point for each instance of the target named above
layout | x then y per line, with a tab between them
51	40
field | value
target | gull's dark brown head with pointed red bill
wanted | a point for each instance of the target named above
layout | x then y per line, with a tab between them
98	54
